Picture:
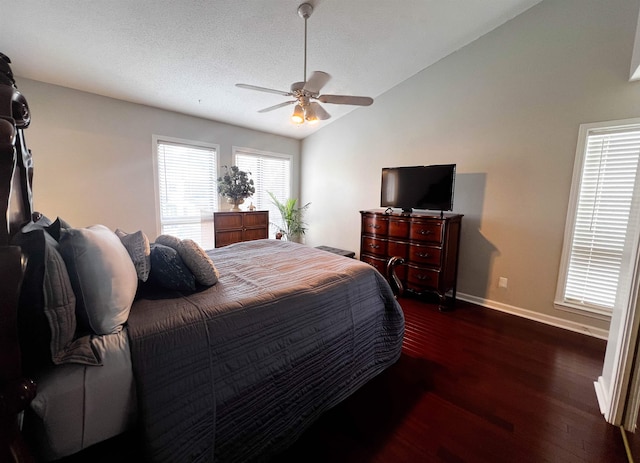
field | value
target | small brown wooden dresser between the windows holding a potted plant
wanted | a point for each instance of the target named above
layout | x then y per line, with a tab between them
233	227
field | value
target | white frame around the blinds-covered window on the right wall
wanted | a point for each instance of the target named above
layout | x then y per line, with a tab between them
631	247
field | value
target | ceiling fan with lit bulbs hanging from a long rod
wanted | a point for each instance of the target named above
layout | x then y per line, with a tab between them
305	92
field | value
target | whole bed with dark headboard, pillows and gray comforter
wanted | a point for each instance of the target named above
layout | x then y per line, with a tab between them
233	370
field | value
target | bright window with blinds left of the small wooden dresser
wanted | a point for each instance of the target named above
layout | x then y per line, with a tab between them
187	189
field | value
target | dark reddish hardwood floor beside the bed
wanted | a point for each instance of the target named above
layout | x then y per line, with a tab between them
472	385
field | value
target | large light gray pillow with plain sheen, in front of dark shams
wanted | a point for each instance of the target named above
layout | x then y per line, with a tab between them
103	277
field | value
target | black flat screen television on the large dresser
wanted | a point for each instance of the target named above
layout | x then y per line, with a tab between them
418	187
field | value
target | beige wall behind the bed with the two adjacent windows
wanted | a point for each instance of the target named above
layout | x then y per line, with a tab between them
93	155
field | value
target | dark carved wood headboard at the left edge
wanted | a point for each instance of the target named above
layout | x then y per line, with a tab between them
16	203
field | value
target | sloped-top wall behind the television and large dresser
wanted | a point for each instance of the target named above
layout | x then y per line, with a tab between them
506	109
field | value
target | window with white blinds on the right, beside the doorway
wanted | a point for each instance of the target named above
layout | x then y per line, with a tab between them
601	236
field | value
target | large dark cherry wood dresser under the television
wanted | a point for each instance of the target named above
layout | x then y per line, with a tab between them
427	244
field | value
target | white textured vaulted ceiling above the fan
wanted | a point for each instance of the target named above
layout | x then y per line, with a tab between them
187	55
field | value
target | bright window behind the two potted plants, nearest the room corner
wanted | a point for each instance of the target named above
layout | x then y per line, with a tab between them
270	173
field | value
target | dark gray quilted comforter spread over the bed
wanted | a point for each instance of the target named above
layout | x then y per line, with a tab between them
238	371
